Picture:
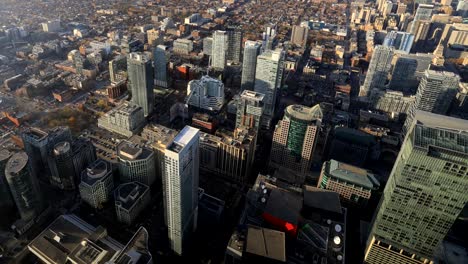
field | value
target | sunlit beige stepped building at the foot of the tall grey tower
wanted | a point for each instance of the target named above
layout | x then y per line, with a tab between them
125	119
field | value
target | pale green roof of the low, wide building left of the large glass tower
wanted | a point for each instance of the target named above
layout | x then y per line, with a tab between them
351	174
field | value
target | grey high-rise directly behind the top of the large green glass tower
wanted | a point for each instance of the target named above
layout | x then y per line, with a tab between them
436	92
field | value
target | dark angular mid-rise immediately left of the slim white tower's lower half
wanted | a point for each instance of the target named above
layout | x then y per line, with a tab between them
130	199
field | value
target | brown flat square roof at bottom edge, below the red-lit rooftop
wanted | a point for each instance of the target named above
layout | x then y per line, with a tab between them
266	242
